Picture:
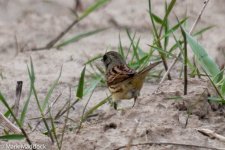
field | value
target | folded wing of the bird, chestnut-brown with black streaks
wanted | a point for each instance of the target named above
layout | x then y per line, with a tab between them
119	74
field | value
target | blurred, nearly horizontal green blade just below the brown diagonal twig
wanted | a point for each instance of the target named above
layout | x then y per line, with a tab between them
79	37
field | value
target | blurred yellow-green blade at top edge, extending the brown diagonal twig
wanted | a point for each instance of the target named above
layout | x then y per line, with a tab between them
93	7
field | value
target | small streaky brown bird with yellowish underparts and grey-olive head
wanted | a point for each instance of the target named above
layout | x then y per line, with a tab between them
122	81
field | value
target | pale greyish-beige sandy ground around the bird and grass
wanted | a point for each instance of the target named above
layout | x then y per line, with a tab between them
34	23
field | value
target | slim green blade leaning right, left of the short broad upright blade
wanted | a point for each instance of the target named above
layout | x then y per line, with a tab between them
51	91
